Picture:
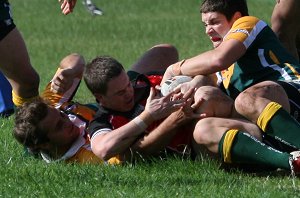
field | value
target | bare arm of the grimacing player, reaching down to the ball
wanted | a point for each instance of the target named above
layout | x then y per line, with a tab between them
209	62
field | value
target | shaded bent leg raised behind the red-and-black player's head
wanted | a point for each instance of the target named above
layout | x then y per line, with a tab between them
156	59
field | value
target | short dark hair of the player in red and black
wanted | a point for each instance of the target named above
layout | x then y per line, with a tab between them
99	72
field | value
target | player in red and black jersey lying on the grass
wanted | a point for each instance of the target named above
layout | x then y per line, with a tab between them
123	122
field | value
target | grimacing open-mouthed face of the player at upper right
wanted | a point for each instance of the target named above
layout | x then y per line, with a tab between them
216	26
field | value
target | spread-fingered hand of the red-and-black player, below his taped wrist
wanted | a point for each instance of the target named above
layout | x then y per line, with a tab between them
161	107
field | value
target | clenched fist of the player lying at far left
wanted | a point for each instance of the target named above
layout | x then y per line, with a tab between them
62	81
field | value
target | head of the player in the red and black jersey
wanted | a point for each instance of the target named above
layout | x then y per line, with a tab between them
107	80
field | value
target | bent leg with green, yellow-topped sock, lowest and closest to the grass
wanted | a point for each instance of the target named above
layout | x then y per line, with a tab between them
230	139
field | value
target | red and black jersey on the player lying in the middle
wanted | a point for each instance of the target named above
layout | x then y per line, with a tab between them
107	120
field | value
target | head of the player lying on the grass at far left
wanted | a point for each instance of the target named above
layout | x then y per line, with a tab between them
43	128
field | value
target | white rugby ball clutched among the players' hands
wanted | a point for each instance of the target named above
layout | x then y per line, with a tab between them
169	85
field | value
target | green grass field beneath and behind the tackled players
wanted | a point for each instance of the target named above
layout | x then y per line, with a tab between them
127	29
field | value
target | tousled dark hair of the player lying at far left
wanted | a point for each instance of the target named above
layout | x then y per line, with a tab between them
27	118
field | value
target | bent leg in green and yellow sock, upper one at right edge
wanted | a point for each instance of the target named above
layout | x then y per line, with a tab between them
267	105
